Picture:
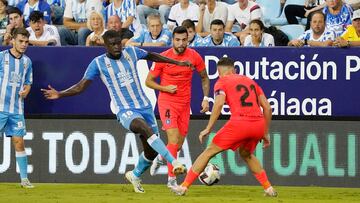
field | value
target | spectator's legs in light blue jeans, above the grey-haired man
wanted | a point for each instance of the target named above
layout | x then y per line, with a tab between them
148	7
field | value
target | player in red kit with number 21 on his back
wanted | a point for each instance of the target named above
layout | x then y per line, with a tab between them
248	125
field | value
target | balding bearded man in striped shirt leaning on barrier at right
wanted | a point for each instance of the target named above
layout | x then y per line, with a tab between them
318	35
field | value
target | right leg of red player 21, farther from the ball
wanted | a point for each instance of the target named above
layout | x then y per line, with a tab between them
258	172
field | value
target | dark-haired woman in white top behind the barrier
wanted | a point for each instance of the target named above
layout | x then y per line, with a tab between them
257	37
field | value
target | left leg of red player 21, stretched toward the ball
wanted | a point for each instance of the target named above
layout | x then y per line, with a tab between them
198	166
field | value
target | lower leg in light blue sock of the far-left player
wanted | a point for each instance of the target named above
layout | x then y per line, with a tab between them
22	161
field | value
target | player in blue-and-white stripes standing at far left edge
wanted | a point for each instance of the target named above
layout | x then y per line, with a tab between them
15	81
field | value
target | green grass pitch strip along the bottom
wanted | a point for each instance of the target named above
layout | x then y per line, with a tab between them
122	193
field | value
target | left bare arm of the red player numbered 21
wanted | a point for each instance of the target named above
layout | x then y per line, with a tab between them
216	111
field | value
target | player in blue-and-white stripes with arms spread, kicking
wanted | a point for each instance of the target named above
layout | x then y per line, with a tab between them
117	70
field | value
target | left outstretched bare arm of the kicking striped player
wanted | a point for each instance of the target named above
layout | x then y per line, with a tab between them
76	89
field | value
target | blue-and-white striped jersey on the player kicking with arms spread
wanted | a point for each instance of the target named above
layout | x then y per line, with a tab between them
121	78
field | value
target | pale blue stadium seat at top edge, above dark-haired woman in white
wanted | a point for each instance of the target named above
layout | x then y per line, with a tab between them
269	9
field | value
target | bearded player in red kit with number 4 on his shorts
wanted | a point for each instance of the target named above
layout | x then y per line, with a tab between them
175	93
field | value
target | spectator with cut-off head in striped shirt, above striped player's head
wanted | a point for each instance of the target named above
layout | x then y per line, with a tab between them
126	10
